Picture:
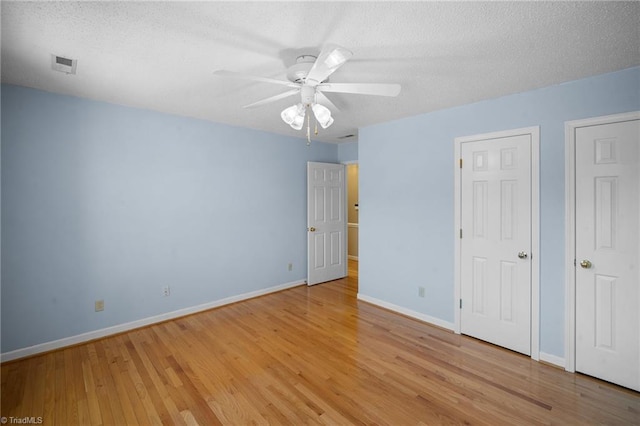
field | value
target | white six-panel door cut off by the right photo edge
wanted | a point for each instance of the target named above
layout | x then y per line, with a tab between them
607	229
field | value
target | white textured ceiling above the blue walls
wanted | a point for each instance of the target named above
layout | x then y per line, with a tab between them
161	55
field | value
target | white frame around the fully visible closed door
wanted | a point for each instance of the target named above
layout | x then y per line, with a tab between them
534	133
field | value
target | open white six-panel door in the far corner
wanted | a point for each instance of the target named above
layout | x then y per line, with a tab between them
326	222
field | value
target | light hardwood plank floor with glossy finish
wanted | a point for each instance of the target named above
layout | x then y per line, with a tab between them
303	356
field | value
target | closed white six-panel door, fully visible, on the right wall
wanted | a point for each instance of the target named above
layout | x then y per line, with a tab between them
496	241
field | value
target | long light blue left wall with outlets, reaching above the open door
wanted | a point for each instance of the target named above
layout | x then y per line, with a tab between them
101	201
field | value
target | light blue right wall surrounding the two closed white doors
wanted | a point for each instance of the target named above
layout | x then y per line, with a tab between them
406	193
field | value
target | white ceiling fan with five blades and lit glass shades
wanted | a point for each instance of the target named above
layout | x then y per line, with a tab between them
309	78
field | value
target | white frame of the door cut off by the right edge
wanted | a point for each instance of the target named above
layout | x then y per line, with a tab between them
570	225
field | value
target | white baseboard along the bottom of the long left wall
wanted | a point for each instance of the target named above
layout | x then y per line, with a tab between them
97	334
